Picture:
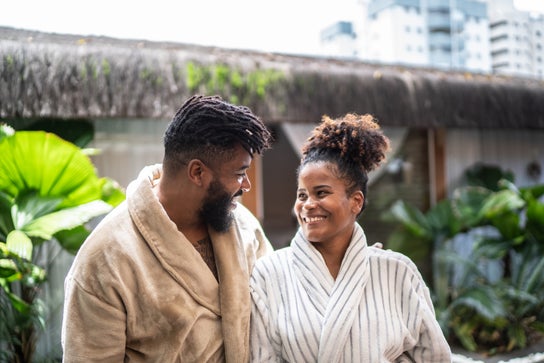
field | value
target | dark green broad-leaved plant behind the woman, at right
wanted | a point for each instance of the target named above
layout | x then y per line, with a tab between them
487	247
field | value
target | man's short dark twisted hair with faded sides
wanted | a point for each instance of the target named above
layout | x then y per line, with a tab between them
205	127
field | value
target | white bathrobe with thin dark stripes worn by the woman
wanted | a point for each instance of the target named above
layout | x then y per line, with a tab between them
377	310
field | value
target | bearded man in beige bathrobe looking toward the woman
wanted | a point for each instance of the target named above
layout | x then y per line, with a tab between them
164	277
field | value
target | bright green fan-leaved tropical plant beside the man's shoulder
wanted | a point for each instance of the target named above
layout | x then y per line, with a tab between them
49	190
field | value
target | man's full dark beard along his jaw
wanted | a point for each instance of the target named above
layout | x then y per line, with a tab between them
216	209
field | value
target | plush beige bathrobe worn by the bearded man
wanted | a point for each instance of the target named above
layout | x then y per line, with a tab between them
138	291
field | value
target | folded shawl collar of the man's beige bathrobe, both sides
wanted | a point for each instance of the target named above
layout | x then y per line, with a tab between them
230	297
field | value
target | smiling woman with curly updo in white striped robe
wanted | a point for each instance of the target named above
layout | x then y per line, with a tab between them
329	297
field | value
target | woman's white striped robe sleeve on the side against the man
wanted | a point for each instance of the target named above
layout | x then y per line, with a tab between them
263	334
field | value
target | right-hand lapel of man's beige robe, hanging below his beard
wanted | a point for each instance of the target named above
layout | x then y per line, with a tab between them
234	294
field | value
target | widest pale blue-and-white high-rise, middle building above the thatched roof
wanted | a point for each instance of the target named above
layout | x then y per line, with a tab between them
450	34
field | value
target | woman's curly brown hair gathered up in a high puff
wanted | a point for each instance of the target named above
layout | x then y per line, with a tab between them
354	143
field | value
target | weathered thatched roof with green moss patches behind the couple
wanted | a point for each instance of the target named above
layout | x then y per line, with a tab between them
67	76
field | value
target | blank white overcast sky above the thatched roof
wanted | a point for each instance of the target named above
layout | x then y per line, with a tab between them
286	26
